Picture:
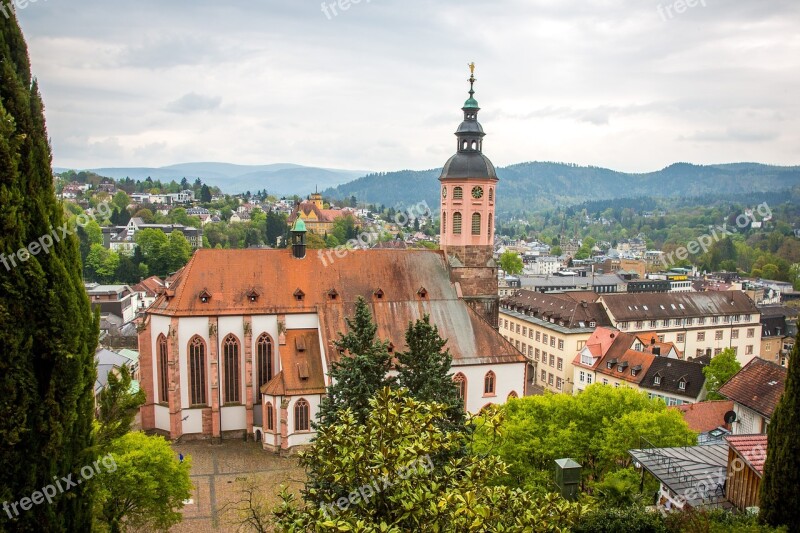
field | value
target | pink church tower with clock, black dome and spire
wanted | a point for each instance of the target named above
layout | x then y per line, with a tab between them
468	193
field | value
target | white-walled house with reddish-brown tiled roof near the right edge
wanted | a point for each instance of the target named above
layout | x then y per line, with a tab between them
755	391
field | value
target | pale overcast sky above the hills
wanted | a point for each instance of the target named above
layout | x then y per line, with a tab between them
631	85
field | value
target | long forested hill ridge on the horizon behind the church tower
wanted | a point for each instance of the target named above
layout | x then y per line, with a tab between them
538	185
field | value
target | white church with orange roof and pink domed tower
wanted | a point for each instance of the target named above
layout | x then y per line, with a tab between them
242	341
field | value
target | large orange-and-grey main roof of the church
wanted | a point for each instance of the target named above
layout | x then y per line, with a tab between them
228	276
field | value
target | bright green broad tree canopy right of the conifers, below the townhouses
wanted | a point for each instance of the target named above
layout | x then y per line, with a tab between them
596	428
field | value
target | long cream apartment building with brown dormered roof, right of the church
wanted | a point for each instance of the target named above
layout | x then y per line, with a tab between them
697	323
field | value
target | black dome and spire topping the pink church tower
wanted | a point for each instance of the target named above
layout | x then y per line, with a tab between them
469	161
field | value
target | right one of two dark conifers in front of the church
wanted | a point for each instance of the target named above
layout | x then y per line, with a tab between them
424	369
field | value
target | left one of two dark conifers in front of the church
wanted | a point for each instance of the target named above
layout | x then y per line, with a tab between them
361	371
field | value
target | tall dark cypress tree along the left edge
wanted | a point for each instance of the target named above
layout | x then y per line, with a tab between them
47	331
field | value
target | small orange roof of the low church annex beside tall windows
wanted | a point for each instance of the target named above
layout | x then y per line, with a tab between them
301	365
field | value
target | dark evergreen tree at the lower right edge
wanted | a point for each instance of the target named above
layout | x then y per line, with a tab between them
780	499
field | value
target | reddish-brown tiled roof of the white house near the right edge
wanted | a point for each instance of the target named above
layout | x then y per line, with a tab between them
757	386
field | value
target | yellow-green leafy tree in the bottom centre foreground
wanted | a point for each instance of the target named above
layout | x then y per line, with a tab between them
379	476
